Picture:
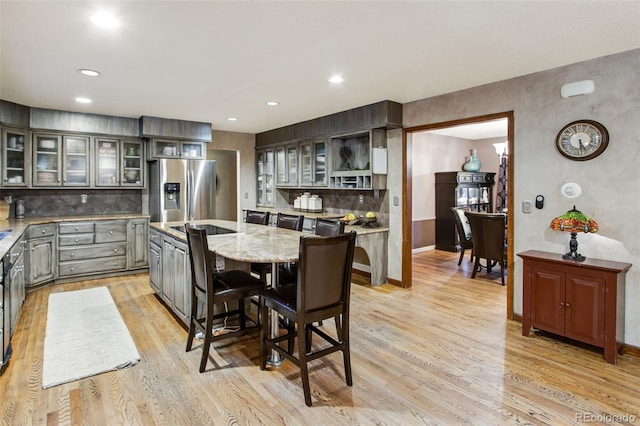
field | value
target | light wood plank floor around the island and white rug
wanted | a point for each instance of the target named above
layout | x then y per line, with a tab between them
438	353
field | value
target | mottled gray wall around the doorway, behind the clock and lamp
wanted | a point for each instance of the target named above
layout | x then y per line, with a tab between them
610	183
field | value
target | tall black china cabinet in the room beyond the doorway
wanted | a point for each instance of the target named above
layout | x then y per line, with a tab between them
470	190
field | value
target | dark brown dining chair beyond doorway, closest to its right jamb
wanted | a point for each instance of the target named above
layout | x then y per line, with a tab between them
488	232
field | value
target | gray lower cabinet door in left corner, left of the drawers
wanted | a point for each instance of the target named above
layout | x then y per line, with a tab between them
40	254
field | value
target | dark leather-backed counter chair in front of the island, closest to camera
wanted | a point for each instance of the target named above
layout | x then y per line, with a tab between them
321	291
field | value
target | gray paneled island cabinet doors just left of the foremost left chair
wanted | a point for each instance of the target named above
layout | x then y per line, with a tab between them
176	277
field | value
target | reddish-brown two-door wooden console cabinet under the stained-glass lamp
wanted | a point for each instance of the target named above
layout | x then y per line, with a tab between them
583	301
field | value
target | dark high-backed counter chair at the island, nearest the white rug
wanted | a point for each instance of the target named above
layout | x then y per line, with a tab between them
210	288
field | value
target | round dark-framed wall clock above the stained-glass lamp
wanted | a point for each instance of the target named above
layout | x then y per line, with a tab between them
582	140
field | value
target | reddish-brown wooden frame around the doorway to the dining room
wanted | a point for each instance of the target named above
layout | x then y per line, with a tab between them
407	199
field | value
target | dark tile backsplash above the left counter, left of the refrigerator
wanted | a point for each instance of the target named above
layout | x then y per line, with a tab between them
68	202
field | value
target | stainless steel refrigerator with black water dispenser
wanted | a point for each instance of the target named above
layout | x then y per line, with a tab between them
182	190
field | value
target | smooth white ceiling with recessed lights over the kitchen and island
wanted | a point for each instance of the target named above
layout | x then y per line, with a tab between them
209	60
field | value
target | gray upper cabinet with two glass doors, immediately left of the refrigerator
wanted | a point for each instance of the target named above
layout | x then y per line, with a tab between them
119	163
